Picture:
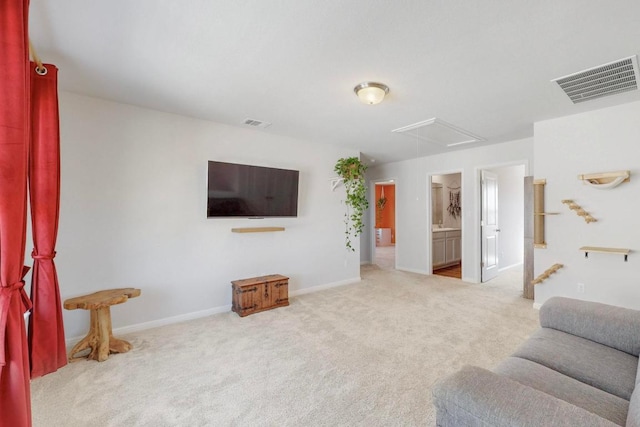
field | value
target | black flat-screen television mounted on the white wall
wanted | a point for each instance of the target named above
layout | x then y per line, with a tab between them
235	190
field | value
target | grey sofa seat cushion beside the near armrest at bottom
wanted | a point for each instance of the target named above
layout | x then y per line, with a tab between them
596	401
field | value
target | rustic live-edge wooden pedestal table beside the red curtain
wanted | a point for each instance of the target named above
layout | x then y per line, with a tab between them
100	339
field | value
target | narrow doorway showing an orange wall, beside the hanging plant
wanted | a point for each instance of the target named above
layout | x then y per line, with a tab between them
384	232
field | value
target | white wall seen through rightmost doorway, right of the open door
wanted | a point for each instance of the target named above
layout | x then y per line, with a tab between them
510	215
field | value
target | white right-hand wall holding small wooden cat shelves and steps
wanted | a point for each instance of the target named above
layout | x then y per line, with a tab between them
598	141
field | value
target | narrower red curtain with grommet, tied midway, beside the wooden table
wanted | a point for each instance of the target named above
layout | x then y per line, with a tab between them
46	332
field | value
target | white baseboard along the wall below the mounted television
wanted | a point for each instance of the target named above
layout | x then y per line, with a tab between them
205	313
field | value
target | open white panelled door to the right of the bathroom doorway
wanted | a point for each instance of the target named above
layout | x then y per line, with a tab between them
489	225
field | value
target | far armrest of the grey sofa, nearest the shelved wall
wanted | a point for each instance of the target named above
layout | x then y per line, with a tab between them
609	325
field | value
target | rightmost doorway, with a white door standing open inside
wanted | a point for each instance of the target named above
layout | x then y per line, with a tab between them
501	220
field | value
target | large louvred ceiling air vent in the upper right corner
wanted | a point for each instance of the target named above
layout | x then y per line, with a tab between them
604	80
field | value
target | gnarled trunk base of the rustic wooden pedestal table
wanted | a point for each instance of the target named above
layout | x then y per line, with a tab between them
100	338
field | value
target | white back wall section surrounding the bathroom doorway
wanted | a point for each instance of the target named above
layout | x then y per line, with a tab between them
413	195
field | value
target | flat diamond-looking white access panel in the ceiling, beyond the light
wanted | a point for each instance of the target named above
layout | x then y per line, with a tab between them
438	132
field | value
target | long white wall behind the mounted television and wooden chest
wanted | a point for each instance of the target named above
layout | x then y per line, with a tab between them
133	213
